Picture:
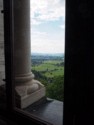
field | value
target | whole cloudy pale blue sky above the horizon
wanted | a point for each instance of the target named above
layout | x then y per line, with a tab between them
47	26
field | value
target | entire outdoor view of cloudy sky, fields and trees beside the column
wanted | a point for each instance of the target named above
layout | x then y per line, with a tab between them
47	45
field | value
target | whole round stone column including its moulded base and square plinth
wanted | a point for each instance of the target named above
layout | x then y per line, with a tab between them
28	90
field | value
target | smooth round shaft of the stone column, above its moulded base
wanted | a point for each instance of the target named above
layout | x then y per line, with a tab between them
22	48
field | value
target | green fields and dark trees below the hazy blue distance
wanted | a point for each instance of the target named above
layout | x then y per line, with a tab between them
51	74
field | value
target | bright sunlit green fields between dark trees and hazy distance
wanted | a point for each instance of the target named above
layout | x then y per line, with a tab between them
50	68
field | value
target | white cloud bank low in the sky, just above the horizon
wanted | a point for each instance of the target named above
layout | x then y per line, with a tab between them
43	43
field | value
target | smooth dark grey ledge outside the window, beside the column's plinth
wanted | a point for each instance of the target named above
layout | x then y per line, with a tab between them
50	111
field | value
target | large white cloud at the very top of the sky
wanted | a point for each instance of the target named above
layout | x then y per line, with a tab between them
46	10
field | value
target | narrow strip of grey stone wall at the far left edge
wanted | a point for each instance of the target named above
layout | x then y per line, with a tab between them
2	62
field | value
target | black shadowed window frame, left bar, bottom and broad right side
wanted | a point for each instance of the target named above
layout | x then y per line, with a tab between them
79	67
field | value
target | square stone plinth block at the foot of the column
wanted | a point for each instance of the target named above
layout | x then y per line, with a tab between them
24	100
